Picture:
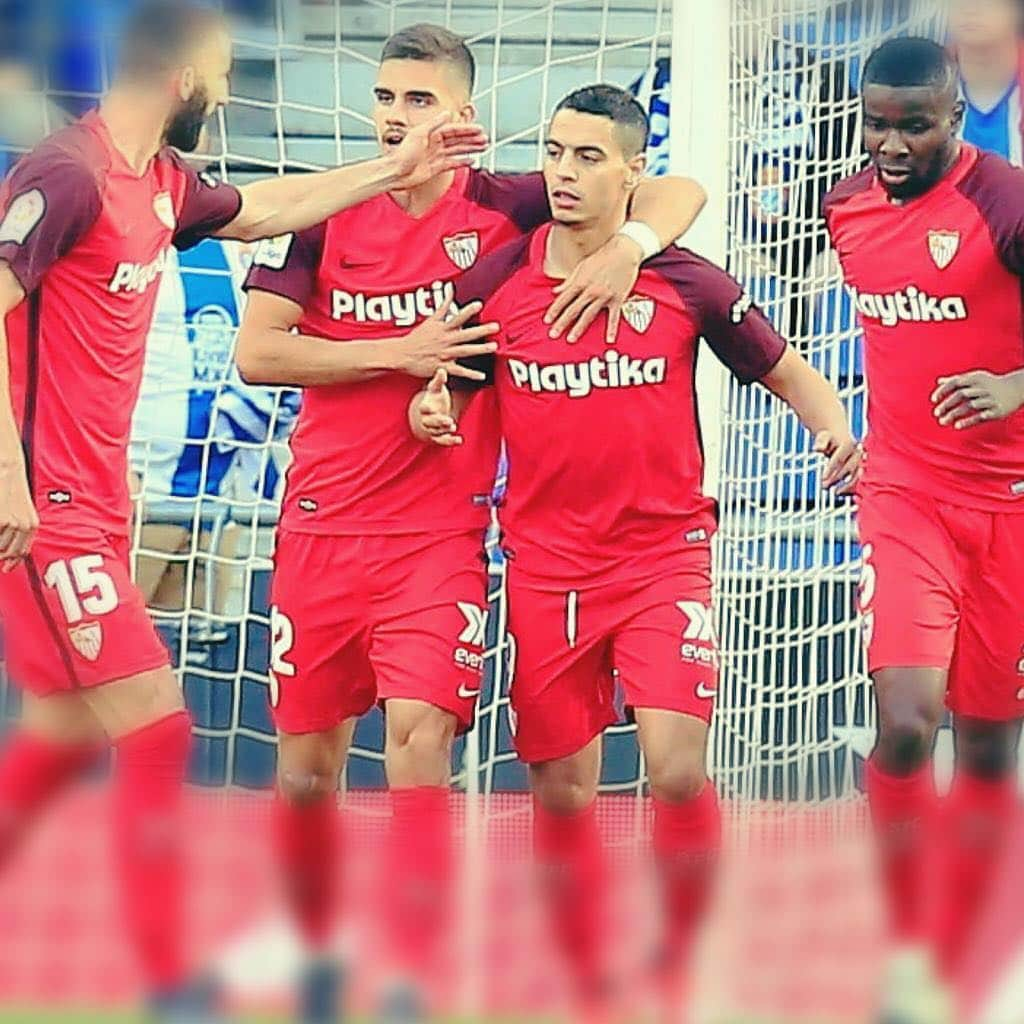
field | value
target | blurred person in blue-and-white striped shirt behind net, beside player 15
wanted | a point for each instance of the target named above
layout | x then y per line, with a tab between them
200	433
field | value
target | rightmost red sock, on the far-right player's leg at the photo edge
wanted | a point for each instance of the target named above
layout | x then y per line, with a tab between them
976	819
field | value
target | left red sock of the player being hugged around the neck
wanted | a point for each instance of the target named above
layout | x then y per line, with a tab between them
569	852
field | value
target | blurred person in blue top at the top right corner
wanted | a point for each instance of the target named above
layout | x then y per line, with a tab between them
987	37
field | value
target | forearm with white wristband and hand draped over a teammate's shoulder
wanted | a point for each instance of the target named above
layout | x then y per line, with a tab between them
666	209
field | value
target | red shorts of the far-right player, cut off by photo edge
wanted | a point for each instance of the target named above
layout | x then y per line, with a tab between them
942	588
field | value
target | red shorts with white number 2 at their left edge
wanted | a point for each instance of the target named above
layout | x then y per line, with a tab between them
356	620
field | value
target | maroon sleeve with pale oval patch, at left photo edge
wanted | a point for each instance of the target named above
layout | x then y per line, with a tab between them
50	202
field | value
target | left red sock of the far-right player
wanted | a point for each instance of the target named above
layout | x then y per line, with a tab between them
904	810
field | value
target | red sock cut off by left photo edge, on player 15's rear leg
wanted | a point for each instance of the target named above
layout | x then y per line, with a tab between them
34	771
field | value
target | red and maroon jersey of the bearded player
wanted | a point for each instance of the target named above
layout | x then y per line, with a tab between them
88	239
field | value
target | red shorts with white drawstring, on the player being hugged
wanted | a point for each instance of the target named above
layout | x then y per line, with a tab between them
571	644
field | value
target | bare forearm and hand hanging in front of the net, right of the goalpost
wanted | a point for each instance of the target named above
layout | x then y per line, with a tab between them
818	406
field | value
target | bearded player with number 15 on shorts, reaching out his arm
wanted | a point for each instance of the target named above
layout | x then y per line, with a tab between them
87	221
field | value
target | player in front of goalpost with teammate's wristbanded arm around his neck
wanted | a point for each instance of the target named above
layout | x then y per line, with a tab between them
607	527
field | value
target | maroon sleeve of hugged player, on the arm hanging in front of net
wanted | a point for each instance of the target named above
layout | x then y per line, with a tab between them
737	330
